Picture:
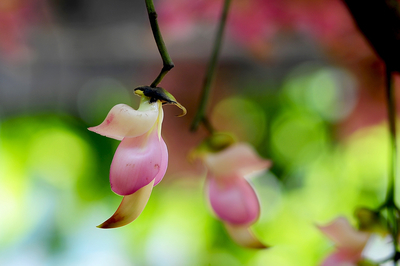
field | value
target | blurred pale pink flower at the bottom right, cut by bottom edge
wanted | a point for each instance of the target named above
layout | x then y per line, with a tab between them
348	241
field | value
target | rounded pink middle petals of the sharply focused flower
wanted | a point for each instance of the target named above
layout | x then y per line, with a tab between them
137	162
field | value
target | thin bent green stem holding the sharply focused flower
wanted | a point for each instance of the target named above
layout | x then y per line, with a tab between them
167	61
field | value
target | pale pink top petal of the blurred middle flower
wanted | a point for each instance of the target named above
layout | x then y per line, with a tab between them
238	158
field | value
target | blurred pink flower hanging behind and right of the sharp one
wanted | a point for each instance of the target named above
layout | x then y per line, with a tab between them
231	196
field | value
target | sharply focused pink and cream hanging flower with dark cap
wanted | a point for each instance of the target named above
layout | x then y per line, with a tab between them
141	159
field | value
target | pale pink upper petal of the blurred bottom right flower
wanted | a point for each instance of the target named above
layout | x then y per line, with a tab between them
344	235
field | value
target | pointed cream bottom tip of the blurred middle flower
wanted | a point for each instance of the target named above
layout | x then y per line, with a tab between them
244	237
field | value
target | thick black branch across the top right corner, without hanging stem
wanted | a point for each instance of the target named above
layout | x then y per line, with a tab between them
379	21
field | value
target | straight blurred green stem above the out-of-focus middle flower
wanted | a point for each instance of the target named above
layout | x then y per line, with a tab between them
200	115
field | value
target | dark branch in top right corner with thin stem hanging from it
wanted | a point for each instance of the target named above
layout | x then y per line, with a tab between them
379	21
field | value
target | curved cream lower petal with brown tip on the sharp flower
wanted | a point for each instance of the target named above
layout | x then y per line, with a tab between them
130	208
